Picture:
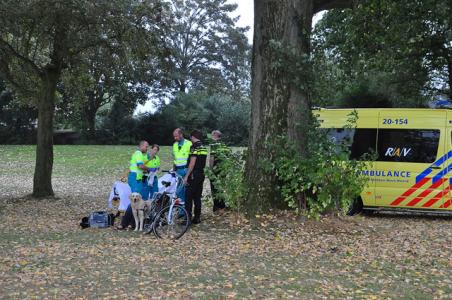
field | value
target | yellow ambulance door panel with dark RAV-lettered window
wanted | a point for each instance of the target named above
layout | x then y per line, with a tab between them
410	168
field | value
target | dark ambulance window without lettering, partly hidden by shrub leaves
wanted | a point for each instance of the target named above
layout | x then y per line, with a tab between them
359	140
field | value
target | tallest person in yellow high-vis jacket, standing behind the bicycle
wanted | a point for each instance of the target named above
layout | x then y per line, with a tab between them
181	152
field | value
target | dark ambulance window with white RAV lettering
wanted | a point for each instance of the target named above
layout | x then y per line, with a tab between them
408	145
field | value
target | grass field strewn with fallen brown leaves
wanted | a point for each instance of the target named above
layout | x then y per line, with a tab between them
44	254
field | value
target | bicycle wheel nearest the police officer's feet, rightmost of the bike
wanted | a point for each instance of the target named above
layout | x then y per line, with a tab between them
171	222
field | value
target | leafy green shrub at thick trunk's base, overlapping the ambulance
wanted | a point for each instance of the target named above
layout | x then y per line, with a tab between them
322	179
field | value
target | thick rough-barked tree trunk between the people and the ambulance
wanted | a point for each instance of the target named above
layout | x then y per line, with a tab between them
280	100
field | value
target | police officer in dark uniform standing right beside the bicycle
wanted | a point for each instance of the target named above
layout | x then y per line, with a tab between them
194	179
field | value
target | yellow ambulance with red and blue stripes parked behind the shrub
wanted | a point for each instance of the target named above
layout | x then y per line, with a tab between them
413	150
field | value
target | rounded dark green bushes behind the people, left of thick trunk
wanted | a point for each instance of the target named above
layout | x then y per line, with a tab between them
198	110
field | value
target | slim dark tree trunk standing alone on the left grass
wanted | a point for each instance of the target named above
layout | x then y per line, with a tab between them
42	183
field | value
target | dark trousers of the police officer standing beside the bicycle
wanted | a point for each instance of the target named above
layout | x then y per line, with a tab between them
193	193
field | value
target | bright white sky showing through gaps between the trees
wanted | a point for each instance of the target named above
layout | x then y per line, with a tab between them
245	10
